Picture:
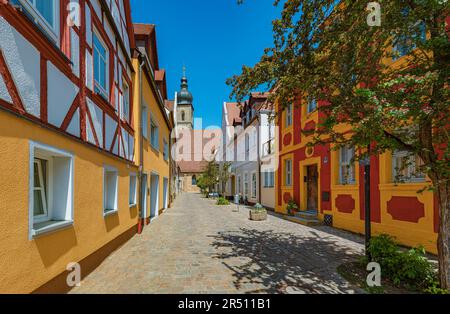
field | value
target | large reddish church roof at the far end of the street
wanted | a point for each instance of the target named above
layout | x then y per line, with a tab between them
196	148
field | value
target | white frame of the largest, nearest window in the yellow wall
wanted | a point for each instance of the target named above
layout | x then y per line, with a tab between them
65	214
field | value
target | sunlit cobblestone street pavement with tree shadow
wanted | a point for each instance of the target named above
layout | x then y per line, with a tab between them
198	247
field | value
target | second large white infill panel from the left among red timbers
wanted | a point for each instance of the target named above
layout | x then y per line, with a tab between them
61	94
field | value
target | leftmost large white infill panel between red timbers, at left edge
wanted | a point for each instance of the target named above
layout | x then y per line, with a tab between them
23	61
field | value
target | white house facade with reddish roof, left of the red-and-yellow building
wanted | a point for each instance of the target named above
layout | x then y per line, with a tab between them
249	143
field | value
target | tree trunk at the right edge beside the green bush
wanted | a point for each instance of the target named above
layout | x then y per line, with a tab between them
443	240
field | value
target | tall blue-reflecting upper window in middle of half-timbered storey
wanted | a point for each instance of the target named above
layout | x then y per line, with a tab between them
100	66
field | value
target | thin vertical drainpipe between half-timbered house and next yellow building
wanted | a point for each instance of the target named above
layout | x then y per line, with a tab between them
141	148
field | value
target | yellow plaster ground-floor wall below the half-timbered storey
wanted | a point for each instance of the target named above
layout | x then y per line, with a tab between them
27	265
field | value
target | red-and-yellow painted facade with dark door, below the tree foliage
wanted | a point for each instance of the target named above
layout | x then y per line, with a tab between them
330	187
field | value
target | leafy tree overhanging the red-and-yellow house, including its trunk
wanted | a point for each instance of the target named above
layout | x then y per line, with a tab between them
325	50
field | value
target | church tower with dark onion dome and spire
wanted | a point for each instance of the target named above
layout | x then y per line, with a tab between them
185	108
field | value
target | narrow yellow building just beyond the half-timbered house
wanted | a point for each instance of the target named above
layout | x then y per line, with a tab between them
155	126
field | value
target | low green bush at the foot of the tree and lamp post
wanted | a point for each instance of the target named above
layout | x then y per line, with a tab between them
410	269
